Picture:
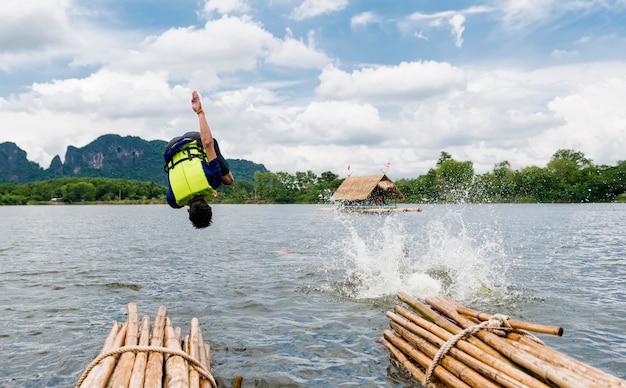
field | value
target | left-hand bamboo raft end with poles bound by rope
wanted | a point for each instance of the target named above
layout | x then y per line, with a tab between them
133	357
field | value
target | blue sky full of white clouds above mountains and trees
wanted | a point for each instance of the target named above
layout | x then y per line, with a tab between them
319	84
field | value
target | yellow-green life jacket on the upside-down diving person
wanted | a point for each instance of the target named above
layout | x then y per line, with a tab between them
186	173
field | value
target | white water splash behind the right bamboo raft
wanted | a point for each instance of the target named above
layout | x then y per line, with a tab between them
438	258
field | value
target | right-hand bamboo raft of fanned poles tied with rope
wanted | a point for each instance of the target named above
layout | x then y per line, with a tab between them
442	343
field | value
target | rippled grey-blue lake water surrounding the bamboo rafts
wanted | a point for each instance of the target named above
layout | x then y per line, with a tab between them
290	296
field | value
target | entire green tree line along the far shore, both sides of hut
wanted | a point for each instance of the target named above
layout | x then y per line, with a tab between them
568	177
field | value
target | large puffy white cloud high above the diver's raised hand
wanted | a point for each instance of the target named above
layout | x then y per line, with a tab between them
228	44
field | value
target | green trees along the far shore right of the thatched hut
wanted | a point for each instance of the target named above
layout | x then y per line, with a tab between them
568	177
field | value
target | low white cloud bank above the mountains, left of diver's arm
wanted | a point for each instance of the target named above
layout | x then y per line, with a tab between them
76	111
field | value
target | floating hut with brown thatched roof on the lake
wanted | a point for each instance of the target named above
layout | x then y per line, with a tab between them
366	188
